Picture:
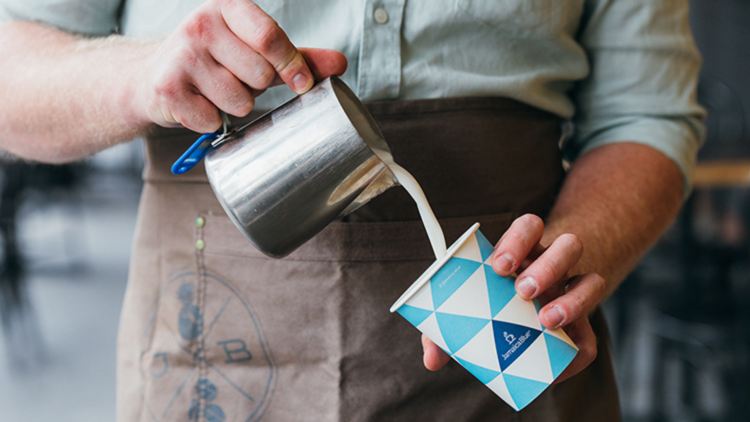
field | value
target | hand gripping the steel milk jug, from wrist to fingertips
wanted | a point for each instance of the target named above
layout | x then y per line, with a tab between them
221	57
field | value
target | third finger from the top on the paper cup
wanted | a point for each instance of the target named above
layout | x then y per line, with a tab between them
584	294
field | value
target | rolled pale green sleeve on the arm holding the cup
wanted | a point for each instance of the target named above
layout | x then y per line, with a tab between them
642	84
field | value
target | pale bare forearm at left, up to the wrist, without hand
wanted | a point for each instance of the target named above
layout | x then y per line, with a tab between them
65	97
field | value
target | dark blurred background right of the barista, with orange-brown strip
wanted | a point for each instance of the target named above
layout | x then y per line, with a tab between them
680	322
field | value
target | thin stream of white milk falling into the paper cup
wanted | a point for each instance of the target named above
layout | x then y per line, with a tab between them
431	225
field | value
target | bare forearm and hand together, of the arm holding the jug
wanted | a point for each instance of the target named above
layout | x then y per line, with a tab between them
65	98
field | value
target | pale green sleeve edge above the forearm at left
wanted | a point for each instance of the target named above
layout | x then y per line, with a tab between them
84	17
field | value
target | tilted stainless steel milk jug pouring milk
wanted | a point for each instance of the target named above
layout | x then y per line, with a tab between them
284	177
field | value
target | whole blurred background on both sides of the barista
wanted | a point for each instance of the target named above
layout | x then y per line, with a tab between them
679	323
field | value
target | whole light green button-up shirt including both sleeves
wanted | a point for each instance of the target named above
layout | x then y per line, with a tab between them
621	70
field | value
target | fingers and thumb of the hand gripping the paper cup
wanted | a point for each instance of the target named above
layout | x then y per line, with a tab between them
544	272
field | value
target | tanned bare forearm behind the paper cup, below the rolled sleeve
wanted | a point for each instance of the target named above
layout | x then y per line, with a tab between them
618	199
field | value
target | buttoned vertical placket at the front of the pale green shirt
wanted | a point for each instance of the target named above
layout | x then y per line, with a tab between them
380	50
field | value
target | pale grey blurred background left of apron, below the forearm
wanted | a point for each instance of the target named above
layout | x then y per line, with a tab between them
65	237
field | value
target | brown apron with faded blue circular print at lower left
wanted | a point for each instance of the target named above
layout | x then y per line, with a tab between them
213	330
